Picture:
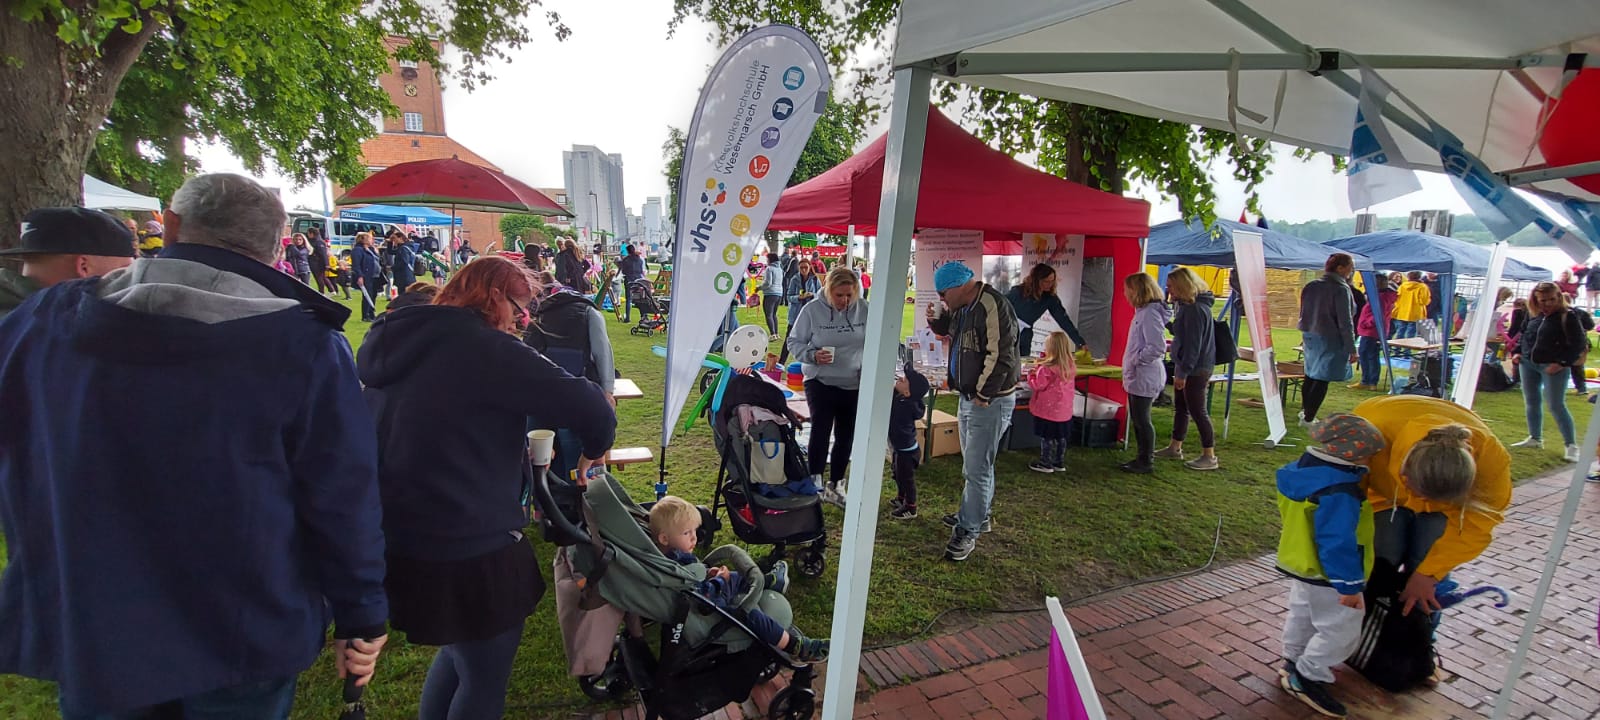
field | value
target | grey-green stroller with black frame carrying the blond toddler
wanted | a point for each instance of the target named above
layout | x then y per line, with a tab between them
710	652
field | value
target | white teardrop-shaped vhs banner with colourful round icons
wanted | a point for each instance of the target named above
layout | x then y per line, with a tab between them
753	121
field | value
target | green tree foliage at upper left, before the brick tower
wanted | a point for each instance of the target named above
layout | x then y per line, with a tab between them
294	86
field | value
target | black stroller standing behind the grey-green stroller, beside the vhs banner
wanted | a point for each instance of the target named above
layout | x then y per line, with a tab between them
764	481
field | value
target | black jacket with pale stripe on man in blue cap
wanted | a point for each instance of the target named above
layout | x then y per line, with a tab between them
985	361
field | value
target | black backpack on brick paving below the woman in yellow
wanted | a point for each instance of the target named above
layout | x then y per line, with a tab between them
1398	650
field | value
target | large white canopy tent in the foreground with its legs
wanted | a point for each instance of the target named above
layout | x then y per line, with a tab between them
1281	70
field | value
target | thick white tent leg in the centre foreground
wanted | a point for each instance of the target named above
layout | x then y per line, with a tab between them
898	210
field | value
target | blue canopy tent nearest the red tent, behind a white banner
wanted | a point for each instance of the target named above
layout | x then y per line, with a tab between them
1194	244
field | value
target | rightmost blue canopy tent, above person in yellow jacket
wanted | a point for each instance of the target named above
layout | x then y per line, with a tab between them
1447	257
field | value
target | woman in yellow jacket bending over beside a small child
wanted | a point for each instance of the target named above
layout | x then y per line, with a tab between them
1438	489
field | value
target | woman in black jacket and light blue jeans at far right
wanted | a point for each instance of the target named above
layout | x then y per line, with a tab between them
1551	342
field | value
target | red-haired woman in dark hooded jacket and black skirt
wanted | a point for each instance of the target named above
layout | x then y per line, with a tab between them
452	450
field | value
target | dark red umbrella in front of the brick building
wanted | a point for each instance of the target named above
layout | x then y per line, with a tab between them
455	183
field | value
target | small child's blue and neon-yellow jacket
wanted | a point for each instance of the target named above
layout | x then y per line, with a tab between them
1327	535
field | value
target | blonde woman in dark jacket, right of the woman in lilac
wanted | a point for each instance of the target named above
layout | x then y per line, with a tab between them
1194	358
